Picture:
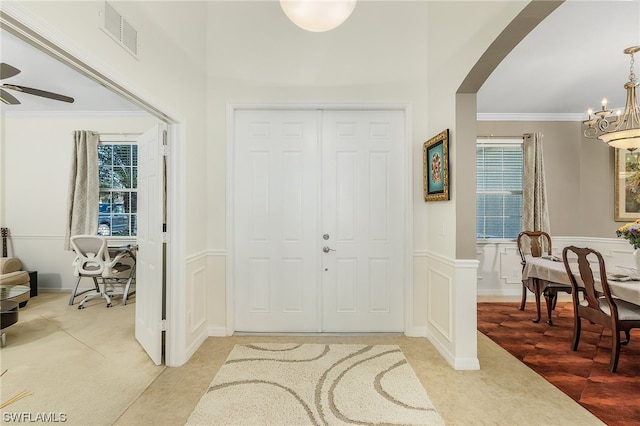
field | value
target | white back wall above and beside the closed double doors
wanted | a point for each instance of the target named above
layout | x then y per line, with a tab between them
256	55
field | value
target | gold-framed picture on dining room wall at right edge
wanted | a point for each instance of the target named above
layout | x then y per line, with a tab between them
627	185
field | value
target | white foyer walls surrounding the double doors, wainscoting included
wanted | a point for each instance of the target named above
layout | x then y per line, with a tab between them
400	52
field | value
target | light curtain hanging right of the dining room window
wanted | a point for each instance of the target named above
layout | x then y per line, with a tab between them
535	215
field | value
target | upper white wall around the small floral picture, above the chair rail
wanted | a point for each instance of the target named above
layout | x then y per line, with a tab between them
459	33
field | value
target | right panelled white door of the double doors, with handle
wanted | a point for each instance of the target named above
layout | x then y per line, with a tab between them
363	221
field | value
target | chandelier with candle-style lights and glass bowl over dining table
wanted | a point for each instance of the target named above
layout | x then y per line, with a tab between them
621	130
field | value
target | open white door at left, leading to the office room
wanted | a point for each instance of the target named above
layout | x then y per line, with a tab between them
150	265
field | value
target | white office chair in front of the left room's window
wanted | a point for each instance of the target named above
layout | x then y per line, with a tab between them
93	260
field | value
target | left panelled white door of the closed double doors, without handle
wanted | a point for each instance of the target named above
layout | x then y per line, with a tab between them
276	219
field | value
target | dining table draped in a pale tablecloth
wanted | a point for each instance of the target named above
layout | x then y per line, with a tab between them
554	271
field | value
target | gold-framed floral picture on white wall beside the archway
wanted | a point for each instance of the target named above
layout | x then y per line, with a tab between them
435	163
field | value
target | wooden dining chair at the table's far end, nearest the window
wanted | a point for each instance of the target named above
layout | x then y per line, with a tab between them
537	244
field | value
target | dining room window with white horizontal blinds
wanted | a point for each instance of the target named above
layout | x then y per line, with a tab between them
499	188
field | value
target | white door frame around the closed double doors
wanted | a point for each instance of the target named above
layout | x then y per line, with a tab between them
407	189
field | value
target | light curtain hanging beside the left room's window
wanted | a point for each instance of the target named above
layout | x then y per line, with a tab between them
82	200
